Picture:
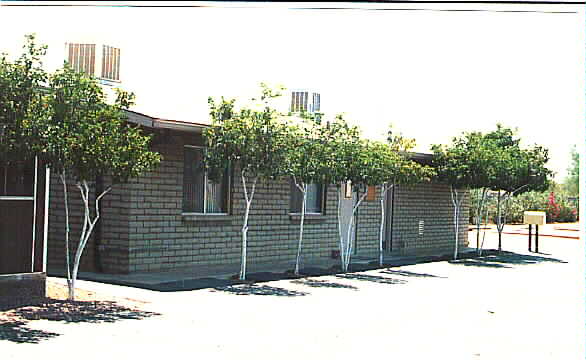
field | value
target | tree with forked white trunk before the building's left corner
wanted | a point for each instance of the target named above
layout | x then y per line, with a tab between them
85	137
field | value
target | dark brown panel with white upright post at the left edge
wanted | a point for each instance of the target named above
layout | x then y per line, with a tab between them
22	218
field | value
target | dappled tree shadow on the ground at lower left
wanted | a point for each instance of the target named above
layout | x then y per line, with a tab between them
13	322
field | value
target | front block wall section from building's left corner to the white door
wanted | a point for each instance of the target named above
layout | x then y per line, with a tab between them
161	238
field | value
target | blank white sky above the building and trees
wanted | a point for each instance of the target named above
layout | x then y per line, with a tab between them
433	74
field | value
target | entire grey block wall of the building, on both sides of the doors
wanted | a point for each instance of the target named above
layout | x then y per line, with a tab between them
143	228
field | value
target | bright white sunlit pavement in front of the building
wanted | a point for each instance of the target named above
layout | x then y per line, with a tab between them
517	306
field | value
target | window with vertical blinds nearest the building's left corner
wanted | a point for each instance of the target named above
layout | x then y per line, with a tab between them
200	195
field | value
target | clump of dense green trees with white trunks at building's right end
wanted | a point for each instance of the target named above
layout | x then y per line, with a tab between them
492	161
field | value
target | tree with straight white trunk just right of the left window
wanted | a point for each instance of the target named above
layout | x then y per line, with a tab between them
254	141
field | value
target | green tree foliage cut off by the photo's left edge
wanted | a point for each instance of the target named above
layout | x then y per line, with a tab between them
21	104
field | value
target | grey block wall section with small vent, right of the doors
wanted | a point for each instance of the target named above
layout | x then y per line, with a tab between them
431	204
